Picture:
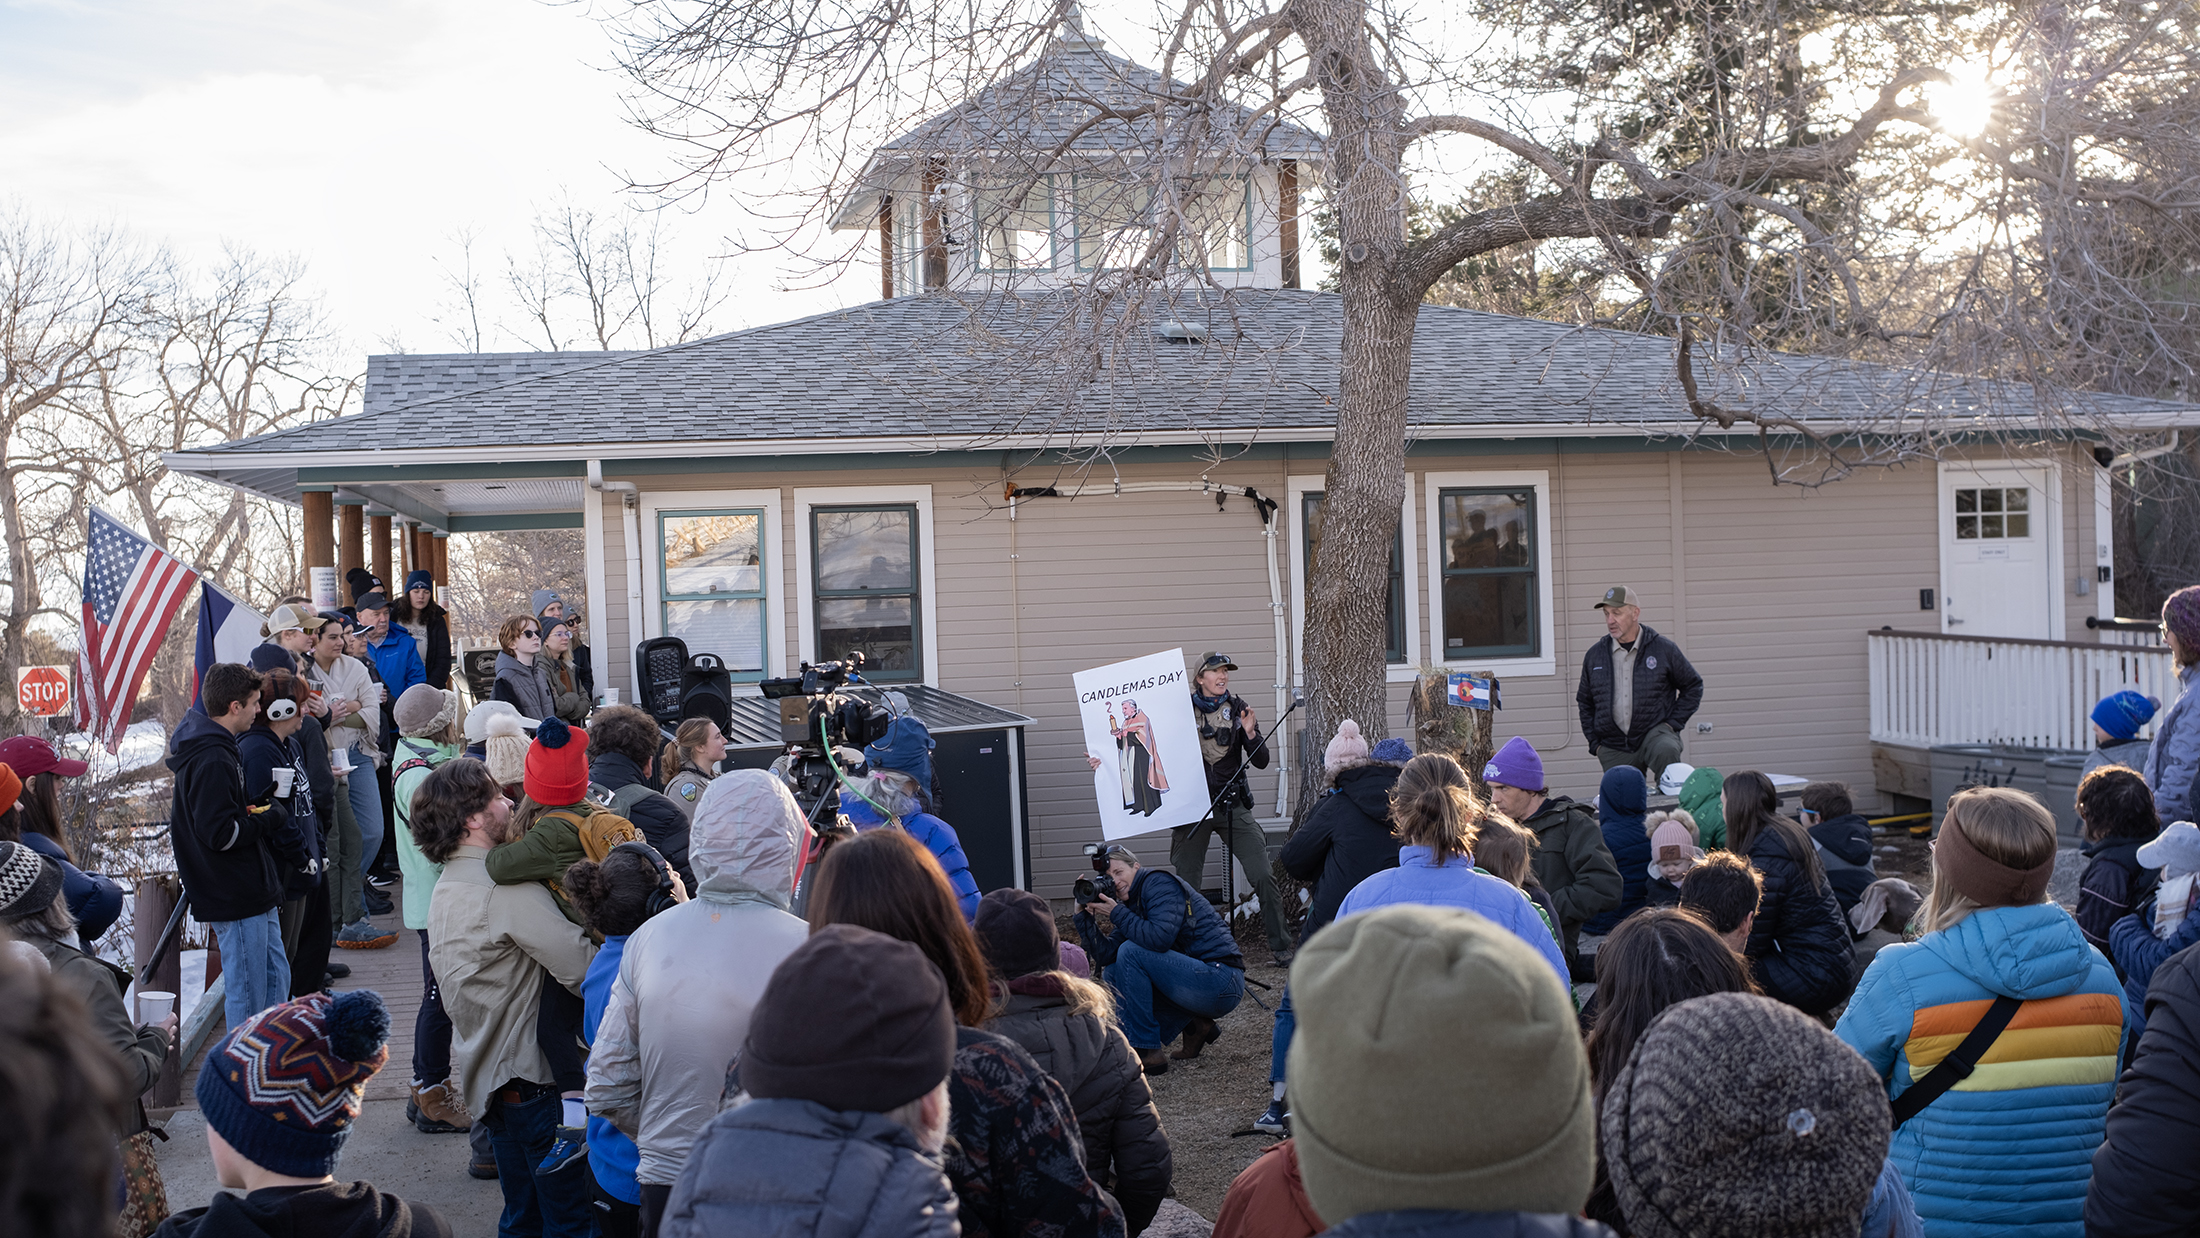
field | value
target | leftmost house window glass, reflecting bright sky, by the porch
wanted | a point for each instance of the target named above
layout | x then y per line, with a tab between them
712	586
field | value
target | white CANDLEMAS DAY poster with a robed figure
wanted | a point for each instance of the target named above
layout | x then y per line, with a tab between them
1143	742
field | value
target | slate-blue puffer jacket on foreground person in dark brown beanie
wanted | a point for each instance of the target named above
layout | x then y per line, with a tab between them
793	1167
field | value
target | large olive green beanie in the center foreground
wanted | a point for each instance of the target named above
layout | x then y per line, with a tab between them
1438	1065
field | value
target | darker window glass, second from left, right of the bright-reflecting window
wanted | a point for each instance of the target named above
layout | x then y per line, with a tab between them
866	579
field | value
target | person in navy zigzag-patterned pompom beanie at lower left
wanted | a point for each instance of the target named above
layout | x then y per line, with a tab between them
280	1096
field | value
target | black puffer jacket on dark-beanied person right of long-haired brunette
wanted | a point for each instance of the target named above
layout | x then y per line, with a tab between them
1125	1147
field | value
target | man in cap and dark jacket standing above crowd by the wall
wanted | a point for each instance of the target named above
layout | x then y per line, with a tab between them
1638	692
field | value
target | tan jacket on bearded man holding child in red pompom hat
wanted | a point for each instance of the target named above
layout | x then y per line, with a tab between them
489	947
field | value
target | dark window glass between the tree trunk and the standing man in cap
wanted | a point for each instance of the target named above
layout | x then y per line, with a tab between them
1490	566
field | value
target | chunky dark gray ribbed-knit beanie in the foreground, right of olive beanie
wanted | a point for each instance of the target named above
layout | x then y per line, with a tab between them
1739	1116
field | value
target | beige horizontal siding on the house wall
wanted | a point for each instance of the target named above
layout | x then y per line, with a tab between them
1770	593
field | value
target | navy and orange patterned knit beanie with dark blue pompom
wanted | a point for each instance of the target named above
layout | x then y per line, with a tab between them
285	1087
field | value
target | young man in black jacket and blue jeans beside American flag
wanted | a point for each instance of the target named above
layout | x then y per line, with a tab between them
223	845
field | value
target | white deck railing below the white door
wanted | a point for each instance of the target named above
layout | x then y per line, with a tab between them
1974	689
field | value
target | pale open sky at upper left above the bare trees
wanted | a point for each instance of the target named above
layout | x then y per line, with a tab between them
353	135
